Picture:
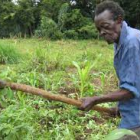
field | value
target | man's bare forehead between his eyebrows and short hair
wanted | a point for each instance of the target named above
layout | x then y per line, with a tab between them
105	15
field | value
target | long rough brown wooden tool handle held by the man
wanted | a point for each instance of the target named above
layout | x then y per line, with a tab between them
48	95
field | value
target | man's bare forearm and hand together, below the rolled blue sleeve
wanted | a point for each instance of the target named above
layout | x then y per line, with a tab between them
120	95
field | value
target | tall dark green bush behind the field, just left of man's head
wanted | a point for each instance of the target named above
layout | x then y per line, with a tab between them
74	25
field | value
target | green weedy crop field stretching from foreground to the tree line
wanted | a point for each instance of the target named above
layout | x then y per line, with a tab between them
74	69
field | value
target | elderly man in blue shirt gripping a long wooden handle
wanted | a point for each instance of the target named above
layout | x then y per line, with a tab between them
109	22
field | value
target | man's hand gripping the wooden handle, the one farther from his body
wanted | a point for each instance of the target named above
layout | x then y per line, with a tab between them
88	103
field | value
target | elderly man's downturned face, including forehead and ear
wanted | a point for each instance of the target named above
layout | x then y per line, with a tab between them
107	27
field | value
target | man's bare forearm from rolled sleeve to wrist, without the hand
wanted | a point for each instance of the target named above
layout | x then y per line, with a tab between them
120	95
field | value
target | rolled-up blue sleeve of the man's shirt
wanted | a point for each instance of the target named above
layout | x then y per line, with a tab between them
130	73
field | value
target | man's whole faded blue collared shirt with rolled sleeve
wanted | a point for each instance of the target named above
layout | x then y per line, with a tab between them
127	66
